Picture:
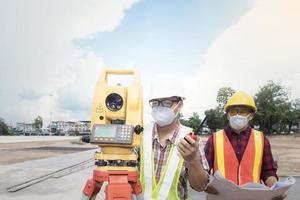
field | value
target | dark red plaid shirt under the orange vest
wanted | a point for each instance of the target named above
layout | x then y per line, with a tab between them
239	143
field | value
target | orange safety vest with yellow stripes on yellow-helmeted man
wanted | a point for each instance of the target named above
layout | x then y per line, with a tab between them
226	162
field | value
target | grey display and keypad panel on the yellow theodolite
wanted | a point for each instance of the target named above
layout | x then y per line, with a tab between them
112	134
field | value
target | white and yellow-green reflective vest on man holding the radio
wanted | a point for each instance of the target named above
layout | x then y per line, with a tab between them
166	188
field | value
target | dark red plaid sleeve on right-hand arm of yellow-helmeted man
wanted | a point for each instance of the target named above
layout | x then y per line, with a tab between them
268	167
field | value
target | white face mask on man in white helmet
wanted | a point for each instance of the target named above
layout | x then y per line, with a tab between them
163	116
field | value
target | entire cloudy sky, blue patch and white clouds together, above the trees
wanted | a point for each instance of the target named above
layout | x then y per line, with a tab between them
60	46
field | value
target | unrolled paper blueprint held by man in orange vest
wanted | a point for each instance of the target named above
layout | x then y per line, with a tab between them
230	191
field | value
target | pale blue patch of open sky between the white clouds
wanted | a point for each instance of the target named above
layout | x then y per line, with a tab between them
165	35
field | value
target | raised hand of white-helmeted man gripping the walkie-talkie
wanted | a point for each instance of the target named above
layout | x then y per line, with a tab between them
189	149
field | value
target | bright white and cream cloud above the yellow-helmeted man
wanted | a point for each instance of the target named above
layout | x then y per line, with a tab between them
263	45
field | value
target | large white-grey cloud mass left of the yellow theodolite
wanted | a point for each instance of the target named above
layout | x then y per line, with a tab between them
38	57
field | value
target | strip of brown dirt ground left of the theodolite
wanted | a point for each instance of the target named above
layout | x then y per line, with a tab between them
18	152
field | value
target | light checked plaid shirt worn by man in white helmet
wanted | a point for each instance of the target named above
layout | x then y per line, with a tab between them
161	154
